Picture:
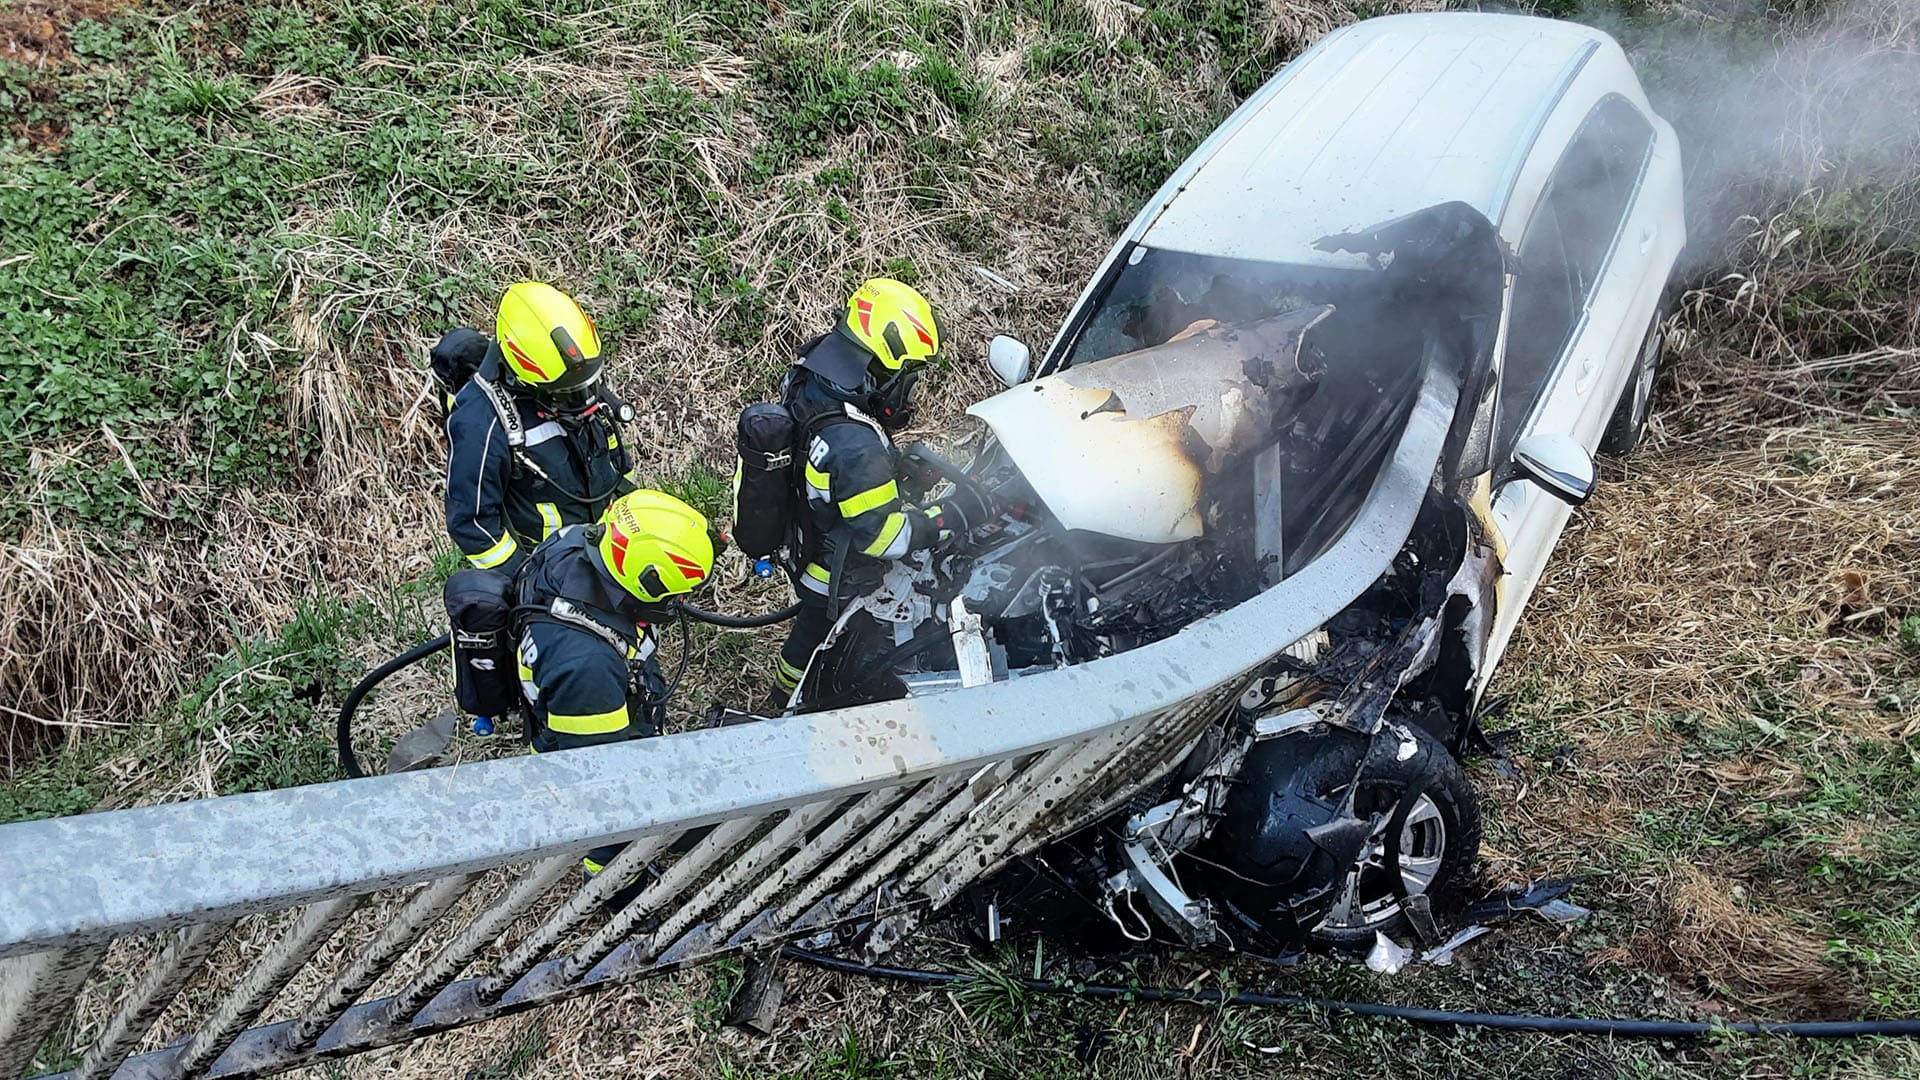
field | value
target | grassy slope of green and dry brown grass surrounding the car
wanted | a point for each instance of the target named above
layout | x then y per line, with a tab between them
243	224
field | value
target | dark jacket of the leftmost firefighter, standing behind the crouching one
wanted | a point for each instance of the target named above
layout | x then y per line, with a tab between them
504	501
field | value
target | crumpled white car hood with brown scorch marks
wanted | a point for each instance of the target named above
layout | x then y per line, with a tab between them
1124	447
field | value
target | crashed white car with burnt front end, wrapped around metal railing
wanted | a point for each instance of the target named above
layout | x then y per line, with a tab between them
1452	218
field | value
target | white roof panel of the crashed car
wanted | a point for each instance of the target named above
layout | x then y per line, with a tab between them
1380	120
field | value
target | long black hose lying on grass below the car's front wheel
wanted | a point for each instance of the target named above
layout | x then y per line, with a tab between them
1443	1018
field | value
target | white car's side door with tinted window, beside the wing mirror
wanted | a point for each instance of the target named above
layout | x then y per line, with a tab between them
1573	330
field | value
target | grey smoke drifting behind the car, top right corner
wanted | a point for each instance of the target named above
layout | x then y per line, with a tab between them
1777	105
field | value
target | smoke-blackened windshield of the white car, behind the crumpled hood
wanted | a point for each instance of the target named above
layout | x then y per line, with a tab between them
1364	362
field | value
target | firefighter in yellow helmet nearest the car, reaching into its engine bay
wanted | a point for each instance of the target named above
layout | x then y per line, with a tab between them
848	393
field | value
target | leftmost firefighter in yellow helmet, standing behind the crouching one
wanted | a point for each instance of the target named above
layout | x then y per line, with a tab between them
535	433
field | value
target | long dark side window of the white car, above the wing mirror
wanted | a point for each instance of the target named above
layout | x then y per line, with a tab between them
1564	253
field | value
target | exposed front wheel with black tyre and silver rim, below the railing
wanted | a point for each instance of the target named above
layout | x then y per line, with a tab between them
1285	883
